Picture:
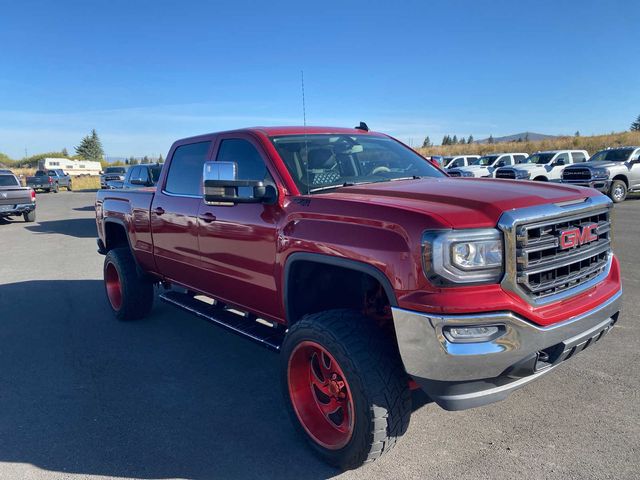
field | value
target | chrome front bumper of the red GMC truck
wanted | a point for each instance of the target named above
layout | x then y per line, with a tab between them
464	375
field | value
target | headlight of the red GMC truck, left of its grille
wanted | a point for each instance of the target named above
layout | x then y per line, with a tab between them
463	256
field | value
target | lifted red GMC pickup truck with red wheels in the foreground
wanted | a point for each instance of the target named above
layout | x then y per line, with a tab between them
368	269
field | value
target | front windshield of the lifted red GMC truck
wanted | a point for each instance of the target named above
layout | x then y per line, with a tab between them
321	162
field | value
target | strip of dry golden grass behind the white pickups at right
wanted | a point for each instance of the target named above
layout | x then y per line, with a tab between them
592	144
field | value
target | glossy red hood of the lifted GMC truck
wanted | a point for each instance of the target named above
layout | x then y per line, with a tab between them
461	203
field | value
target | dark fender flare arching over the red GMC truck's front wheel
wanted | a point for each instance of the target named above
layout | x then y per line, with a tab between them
347	263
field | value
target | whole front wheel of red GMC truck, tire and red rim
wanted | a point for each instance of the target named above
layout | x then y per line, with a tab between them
345	387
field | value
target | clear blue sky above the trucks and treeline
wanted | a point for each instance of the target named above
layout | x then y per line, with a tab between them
144	73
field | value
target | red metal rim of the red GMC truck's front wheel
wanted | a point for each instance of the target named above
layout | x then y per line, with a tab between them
320	395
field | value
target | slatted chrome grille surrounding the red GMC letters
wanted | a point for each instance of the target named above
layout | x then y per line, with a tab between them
544	268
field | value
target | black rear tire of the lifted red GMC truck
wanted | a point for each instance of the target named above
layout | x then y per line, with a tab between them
136	291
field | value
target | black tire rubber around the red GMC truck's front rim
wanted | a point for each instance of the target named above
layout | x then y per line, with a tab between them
369	358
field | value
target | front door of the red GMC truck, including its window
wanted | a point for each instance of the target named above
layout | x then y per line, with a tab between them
238	241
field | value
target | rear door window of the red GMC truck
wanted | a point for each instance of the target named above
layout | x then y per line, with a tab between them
185	172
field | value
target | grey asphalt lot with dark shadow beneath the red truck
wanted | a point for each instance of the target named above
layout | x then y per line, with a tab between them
85	396
